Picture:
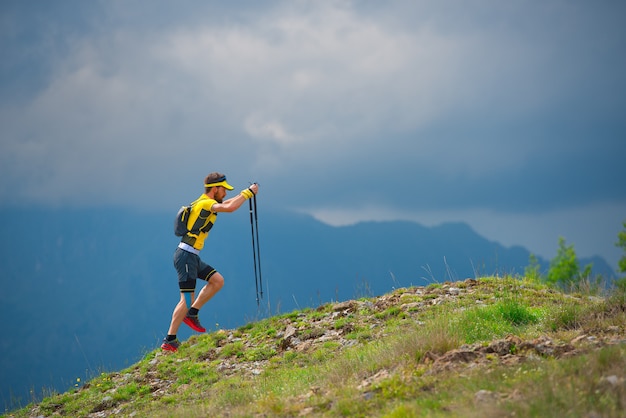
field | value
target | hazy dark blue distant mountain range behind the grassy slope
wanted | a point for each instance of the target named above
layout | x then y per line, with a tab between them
92	290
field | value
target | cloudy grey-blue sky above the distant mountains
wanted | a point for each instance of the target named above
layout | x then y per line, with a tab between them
509	116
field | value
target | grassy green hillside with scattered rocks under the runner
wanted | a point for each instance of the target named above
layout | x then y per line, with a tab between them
490	347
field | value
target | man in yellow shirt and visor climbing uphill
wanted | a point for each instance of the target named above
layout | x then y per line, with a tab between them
187	261
